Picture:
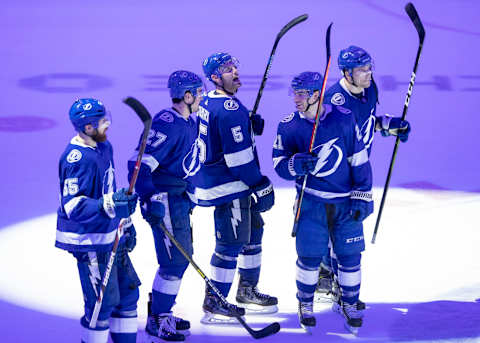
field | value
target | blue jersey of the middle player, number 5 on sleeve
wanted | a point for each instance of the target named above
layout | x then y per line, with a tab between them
225	148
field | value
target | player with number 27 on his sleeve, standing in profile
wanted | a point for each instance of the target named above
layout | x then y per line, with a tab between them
162	188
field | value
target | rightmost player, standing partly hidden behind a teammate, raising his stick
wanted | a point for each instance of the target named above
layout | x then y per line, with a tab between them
358	92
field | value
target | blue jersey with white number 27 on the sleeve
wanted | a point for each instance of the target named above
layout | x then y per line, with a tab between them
166	161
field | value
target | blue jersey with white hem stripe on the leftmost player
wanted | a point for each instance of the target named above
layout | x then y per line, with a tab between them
86	174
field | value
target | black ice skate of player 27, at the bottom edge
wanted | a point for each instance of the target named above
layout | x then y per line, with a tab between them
163	327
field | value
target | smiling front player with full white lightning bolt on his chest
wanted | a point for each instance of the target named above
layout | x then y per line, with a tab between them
337	195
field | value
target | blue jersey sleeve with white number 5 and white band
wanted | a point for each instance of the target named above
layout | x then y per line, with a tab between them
237	145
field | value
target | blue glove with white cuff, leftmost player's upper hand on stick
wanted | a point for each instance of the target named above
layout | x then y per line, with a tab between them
118	204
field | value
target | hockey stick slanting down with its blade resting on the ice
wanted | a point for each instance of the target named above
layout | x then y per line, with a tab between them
266	331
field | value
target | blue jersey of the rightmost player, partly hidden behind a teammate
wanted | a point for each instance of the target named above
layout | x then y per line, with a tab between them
364	107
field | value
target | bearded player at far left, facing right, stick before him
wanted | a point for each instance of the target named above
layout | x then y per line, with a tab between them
90	211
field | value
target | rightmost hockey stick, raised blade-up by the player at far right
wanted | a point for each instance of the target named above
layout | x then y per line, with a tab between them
412	13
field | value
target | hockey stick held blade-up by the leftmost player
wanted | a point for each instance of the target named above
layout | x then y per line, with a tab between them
146	119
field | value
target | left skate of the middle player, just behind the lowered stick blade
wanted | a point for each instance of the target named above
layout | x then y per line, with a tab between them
218	313
